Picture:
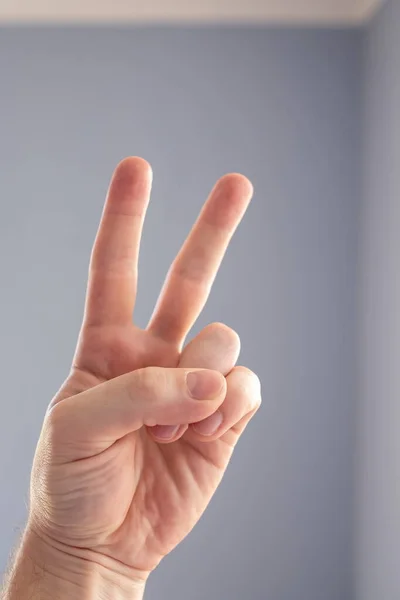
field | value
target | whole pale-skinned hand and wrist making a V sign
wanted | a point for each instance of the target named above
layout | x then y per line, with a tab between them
128	459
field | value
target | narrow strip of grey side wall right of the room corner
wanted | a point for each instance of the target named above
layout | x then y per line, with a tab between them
378	505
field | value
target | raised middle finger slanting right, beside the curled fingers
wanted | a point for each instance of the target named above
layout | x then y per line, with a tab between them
192	273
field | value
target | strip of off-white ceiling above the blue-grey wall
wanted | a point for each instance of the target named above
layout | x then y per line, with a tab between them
323	12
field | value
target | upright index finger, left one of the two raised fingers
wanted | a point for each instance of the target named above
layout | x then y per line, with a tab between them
113	266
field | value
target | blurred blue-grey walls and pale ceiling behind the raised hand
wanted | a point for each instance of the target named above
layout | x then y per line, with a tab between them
302	96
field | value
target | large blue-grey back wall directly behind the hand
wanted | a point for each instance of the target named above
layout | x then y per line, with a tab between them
280	106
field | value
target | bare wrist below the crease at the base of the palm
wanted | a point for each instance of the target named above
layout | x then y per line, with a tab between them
45	570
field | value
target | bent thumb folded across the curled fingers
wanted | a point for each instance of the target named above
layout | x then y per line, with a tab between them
149	396
